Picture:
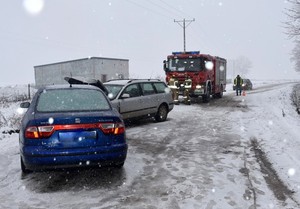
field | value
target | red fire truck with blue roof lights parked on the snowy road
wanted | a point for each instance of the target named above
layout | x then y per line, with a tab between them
208	73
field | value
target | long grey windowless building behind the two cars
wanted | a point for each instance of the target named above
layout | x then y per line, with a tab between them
95	67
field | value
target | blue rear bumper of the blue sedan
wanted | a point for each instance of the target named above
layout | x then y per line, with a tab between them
36	158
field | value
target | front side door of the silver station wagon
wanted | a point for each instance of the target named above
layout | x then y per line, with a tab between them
130	102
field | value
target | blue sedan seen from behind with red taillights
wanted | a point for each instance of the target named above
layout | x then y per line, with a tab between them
71	126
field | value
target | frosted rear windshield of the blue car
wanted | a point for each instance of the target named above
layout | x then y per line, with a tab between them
64	100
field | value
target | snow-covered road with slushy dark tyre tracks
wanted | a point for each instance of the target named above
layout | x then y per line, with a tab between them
235	152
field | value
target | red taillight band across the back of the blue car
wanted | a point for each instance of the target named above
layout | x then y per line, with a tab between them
39	132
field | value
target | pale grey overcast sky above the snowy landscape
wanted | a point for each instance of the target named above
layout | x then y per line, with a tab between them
36	32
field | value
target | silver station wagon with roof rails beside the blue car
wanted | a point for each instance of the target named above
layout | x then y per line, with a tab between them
138	98
